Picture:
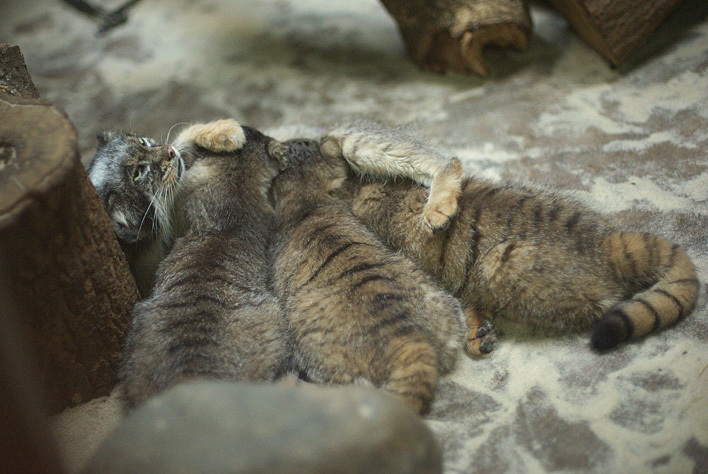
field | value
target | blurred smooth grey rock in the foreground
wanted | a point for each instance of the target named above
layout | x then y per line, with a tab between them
232	427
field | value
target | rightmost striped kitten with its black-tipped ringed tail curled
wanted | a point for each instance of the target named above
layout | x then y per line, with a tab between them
537	259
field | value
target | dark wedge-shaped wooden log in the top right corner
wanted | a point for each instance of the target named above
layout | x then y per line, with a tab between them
615	28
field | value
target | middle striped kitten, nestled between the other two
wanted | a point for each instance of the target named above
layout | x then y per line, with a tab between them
357	311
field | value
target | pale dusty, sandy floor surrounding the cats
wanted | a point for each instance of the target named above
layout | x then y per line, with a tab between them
632	142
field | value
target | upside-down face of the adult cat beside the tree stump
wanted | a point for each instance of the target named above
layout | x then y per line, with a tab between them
137	178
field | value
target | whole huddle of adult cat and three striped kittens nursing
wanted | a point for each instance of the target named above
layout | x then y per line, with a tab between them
259	258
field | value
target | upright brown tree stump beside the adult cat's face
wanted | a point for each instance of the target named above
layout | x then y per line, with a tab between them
66	274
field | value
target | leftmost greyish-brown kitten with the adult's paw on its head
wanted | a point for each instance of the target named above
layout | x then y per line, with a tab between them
211	314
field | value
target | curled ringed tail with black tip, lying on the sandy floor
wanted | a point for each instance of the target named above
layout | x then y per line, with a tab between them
665	274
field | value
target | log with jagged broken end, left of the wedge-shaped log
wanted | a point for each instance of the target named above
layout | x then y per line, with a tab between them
451	34
